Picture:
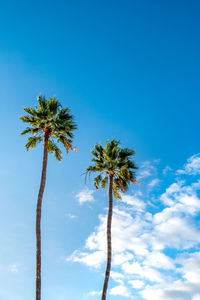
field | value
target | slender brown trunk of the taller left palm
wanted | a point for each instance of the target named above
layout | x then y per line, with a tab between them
38	217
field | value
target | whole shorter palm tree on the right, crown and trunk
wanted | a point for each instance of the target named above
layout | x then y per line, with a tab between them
115	166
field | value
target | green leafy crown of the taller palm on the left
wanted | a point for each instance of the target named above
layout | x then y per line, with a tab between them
50	120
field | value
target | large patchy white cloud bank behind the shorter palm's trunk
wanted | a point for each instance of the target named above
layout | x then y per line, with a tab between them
155	250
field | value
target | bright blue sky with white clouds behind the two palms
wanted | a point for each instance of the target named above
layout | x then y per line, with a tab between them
127	69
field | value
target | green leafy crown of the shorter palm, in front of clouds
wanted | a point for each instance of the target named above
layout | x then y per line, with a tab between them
112	160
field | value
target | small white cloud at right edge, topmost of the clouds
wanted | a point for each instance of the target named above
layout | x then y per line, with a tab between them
192	167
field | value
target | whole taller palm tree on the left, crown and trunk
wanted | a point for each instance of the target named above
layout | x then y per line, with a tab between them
49	123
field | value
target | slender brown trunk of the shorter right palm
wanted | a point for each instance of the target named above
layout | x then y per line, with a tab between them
109	247
